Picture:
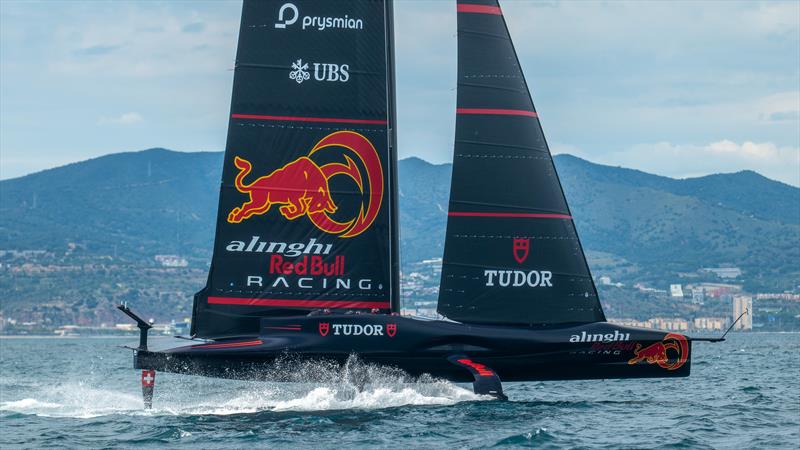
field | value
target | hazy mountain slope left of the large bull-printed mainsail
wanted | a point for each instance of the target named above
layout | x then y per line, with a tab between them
139	203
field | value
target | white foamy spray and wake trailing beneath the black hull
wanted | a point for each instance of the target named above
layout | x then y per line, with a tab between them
304	387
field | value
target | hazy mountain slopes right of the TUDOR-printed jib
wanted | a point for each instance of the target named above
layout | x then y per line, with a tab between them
663	226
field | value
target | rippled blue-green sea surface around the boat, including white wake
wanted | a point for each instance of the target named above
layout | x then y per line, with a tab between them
83	393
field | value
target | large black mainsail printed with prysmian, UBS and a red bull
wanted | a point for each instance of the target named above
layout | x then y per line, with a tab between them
307	215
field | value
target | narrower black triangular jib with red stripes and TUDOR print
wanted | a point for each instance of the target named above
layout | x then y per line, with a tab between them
512	254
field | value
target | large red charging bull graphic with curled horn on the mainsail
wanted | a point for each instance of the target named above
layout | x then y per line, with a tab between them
301	187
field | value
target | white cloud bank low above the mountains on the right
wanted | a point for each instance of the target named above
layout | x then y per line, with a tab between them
689	160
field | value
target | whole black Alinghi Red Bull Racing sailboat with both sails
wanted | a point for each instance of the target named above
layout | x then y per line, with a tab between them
306	252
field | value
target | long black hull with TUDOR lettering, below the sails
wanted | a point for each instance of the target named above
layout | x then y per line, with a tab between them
594	351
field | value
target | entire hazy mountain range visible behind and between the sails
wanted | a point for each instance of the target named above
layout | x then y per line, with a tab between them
635	226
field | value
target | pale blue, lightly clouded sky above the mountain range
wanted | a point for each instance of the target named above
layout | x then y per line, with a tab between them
680	89
